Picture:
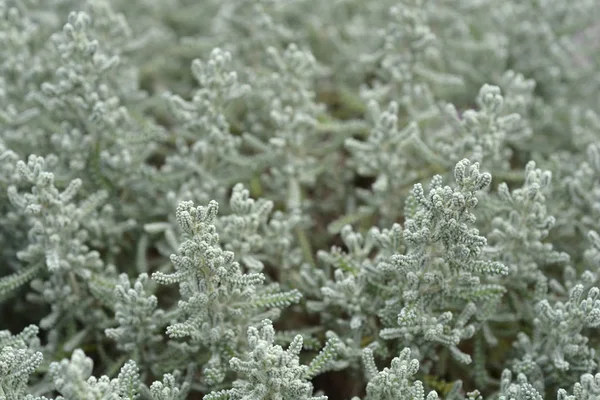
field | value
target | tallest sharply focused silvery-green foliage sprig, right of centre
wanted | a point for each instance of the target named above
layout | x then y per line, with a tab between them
444	267
